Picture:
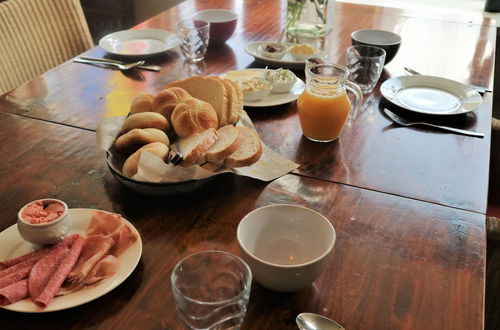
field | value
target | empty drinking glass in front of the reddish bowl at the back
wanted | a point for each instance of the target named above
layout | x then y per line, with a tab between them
193	37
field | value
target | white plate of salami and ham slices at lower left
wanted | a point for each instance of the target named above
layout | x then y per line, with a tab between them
100	252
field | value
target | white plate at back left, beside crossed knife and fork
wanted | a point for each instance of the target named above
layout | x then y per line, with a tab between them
141	42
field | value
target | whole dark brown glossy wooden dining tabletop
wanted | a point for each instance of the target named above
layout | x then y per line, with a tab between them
408	204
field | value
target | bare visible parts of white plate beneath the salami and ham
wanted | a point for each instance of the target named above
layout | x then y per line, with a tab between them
12	245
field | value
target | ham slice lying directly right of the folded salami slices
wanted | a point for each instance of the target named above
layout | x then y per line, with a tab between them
95	248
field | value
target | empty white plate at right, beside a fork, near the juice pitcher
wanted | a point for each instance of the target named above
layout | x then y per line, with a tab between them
430	95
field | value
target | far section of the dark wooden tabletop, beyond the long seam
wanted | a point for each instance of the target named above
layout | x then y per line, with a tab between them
373	153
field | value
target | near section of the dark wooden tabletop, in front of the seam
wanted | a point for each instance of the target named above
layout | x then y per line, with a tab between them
397	263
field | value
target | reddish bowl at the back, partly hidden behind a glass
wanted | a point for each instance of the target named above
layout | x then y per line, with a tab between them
222	23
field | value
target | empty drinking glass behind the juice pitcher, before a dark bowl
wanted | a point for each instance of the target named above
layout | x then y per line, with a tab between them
365	64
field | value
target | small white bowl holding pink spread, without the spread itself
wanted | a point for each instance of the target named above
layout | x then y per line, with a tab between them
47	232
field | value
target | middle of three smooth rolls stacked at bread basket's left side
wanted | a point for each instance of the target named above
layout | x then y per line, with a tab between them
137	137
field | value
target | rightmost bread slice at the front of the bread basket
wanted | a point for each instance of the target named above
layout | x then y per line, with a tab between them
249	150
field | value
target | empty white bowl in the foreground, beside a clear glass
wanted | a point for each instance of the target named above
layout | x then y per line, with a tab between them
286	246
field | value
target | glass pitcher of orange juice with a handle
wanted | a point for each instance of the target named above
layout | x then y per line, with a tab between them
324	107
